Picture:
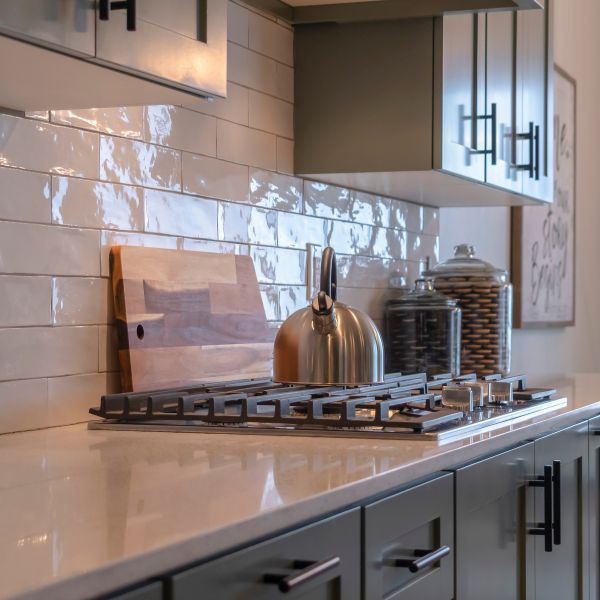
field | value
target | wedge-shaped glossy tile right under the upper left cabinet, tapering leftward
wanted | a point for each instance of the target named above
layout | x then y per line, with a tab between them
122	121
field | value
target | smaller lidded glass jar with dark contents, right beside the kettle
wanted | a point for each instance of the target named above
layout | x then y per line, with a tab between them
422	332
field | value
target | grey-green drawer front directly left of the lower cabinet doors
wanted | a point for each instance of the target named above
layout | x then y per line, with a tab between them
420	518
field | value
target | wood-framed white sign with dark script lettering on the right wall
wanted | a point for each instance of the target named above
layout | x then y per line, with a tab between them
543	237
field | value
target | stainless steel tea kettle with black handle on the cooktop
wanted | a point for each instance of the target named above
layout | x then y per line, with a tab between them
328	343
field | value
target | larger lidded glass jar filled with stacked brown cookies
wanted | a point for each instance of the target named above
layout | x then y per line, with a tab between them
485	296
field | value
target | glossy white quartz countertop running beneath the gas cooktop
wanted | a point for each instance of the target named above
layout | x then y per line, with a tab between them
85	512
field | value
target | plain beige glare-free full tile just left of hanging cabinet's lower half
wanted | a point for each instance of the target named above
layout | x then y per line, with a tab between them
246	146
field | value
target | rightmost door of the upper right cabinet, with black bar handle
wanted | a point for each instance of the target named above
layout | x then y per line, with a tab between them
534	140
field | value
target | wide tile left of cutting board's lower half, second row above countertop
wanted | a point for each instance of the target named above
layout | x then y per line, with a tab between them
50	351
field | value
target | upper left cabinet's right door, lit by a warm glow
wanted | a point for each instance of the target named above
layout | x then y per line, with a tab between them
181	42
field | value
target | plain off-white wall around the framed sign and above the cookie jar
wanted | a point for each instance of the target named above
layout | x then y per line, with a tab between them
555	351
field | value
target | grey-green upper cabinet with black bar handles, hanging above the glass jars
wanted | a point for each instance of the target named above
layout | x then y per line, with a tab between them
444	111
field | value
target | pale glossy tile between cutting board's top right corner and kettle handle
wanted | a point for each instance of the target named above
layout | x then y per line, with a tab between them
276	265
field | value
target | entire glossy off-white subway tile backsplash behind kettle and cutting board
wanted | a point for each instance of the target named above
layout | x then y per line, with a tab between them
211	176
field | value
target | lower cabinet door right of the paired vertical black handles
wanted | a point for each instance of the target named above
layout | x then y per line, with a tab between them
562	573
